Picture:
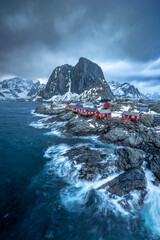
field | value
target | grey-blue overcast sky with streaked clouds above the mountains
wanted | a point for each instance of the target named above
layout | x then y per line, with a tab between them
122	36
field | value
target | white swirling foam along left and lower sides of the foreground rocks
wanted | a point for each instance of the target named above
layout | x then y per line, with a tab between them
76	194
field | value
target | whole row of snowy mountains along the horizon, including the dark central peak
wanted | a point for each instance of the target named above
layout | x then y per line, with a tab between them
85	81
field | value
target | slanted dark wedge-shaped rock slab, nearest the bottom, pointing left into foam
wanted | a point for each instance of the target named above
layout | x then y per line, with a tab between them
133	179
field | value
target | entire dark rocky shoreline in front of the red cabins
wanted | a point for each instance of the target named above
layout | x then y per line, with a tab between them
138	143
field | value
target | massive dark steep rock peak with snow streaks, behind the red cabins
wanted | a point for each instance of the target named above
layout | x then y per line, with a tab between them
83	81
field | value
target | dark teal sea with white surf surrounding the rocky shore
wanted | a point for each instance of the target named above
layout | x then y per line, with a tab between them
40	200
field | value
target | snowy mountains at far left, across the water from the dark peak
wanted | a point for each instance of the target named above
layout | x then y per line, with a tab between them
17	88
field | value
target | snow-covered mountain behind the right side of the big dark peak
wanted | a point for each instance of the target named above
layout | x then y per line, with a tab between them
125	90
